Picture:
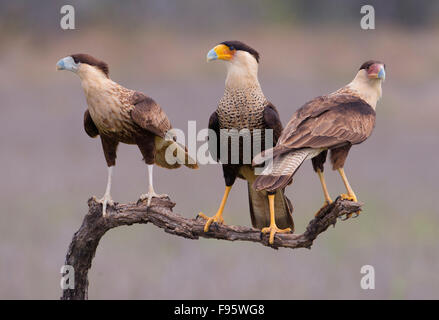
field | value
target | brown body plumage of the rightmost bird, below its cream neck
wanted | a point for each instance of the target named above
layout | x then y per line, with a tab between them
334	122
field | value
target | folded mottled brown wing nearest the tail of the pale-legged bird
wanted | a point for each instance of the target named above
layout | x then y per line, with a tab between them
148	115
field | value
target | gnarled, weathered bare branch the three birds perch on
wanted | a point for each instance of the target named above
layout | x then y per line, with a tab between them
85	241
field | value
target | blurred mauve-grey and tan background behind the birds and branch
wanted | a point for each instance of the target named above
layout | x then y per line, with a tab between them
50	167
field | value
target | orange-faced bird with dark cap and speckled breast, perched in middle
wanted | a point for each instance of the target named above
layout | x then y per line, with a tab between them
244	107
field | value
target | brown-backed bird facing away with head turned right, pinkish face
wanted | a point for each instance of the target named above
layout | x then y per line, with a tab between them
333	122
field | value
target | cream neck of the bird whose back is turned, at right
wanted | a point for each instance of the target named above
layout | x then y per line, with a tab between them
367	89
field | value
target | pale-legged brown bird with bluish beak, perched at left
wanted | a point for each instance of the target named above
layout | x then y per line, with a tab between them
118	114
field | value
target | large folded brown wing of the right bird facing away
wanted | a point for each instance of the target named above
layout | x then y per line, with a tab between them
341	119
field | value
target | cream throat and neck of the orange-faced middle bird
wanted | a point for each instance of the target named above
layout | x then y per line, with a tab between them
242	71
